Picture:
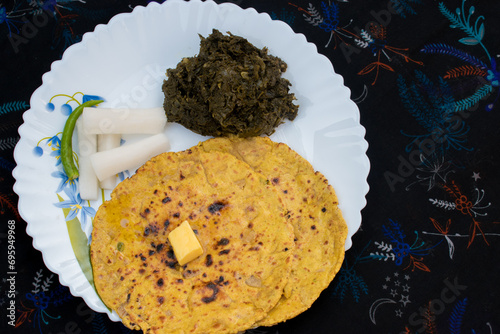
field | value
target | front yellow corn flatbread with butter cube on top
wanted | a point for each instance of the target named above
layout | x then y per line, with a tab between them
239	220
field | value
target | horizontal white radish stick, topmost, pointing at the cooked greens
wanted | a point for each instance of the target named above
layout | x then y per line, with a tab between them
124	120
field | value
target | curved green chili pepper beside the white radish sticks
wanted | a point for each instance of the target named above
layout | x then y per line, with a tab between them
67	139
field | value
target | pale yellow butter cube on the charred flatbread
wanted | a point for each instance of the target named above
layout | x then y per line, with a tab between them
185	244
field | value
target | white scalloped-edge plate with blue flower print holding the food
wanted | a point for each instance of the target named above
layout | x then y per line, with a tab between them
124	62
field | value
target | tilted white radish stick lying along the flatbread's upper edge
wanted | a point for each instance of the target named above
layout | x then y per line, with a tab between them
128	156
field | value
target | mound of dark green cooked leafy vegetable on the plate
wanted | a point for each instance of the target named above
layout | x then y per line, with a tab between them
230	88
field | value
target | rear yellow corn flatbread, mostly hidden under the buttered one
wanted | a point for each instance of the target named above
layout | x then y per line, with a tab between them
312	209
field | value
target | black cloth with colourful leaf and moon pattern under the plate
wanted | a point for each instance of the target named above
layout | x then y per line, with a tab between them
426	79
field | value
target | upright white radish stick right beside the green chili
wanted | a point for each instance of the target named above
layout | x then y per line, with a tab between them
87	180
